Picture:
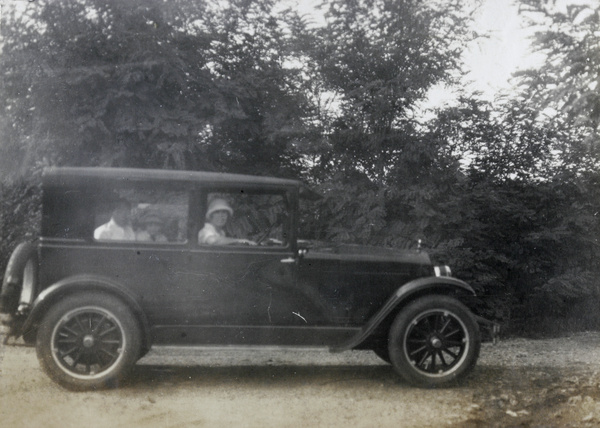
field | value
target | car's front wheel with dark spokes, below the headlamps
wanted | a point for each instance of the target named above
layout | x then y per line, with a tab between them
433	341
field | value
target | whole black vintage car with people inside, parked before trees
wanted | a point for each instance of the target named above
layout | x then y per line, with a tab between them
131	258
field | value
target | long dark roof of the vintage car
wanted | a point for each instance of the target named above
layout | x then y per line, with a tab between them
77	176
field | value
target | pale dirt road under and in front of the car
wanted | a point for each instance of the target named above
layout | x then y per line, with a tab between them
517	383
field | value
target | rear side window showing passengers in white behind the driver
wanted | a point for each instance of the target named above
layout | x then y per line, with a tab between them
142	215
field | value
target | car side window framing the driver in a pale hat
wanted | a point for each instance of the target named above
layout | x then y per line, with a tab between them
242	218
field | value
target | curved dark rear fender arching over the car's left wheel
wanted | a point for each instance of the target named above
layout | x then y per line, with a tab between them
84	283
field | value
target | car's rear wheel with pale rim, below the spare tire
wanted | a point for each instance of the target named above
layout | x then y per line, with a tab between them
88	341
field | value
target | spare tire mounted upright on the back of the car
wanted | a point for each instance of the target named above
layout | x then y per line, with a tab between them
19	287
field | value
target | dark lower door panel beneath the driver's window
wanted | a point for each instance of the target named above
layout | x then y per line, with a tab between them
237	285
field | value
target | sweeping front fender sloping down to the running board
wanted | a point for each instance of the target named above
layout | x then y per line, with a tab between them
402	295
